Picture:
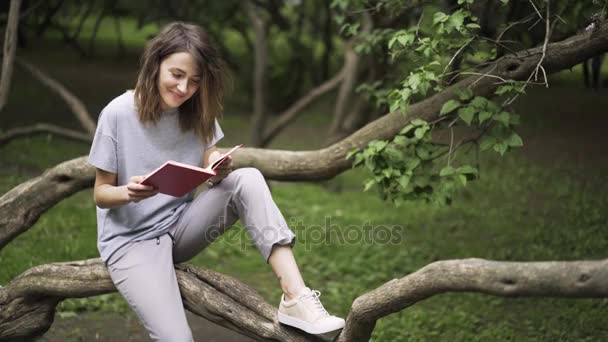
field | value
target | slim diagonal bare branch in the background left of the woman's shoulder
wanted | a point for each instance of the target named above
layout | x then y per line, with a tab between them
78	108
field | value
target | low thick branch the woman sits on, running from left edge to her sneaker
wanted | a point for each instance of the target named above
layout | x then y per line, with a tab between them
28	302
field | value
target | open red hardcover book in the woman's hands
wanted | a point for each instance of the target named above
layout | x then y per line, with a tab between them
177	179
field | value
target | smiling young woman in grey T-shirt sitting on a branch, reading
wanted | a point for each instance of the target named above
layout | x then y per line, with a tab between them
172	115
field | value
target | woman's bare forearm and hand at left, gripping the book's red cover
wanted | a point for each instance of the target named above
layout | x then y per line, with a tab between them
108	195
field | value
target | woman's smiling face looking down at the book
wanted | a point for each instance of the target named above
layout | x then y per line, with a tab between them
178	79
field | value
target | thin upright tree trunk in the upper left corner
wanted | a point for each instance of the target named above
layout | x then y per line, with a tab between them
10	47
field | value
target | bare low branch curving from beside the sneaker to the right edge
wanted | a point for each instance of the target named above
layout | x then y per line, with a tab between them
564	279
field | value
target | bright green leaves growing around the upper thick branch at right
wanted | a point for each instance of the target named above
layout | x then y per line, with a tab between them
409	167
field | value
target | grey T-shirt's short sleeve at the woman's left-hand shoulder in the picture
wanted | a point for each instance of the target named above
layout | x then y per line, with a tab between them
103	149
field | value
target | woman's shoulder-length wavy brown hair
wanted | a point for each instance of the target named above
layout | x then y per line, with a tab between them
200	111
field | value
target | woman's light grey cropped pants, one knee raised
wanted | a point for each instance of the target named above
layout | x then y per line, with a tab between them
145	276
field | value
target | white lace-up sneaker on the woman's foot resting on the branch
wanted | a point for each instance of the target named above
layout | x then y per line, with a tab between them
307	313
